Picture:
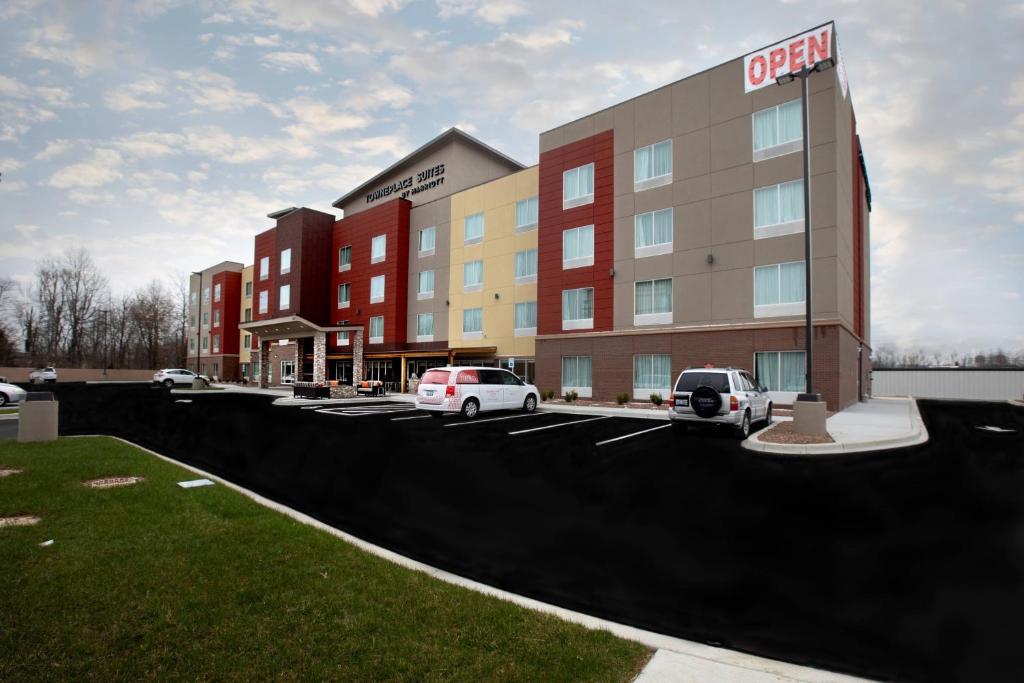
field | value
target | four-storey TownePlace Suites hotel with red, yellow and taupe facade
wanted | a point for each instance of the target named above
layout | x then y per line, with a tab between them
663	233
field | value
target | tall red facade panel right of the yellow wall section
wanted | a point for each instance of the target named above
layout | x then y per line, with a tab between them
551	279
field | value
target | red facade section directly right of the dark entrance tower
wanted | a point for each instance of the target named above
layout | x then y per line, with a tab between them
358	232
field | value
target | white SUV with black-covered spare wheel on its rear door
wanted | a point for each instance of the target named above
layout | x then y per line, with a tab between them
719	396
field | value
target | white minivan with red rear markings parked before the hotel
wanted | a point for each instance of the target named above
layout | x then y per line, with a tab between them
471	391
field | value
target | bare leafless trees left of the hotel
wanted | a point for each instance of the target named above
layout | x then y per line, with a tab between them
69	317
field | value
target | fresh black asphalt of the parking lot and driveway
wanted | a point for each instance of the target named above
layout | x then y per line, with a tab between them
905	565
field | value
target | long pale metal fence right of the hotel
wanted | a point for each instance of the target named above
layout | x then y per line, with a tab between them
950	383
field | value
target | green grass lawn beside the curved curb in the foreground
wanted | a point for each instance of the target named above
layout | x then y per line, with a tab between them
156	582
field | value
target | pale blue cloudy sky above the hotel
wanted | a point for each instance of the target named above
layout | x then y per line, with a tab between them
159	134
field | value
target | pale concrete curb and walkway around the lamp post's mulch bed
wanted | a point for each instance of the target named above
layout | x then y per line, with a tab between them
874	425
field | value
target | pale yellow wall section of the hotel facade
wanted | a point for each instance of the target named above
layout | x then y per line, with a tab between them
497	200
